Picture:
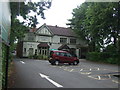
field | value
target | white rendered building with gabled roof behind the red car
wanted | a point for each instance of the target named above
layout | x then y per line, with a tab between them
41	40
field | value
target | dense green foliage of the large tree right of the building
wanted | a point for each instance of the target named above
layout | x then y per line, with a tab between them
97	24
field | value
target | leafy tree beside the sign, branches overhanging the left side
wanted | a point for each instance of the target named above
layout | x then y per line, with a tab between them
23	9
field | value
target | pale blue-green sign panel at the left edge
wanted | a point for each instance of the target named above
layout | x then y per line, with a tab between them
5	21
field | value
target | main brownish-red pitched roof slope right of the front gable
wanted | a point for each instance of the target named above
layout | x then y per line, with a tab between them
61	31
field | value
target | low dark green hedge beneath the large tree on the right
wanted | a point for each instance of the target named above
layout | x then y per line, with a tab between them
106	57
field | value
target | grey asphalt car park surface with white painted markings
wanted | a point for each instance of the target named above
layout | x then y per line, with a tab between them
40	74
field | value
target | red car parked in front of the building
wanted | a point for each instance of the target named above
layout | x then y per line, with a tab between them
58	56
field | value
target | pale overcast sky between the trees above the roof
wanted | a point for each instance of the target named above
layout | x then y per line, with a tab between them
59	13
